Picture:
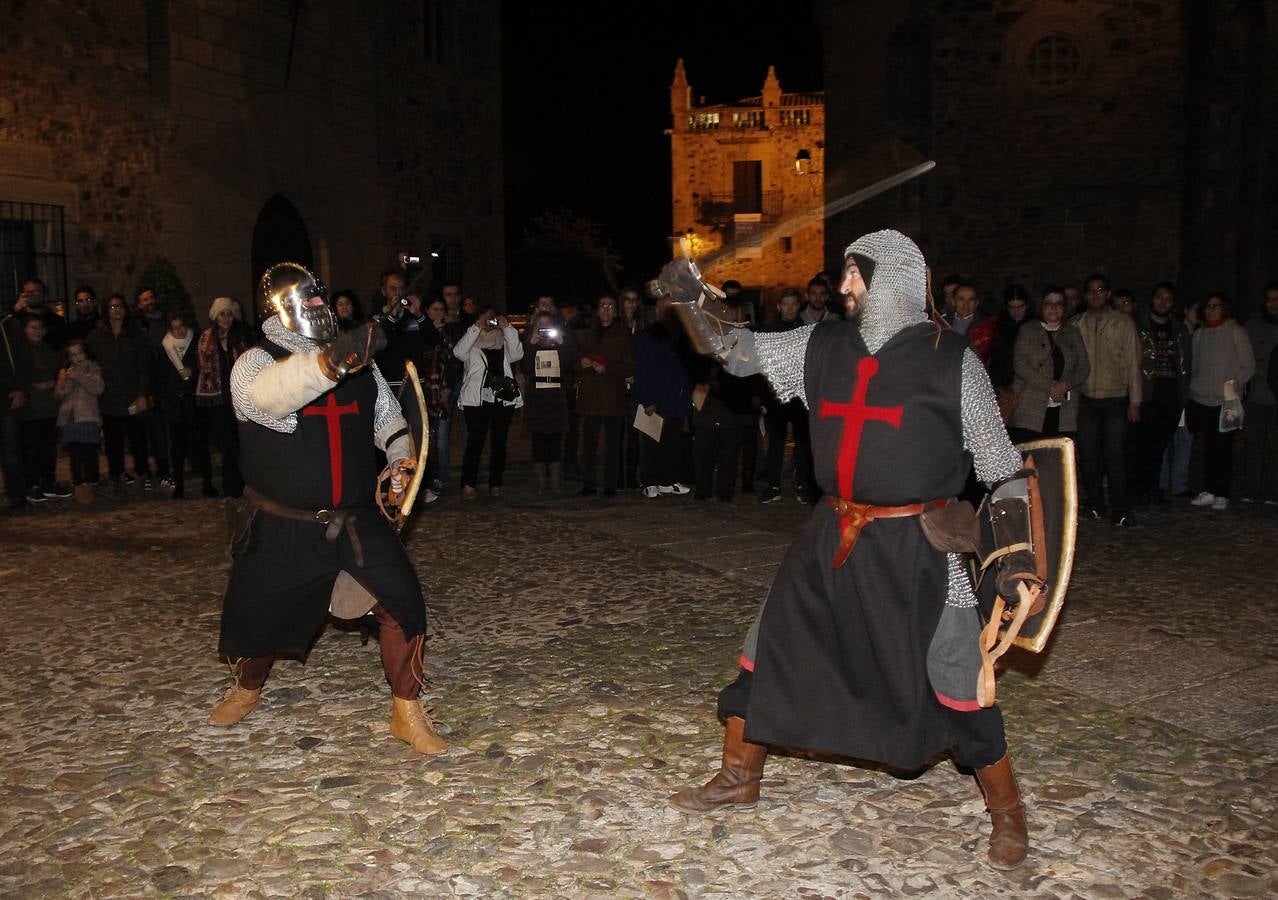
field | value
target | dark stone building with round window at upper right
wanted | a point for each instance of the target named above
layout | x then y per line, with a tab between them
1128	137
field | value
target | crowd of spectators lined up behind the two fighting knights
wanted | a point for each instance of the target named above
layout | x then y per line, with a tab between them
613	397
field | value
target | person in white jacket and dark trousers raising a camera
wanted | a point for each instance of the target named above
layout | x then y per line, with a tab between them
489	396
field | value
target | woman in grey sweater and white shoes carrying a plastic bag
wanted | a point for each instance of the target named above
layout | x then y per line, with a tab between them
1224	365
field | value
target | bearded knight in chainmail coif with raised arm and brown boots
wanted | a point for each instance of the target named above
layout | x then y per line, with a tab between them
870	641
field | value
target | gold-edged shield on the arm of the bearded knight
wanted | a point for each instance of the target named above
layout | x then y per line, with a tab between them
1058	492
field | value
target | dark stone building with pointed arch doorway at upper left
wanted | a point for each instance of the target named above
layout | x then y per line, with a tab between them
227	135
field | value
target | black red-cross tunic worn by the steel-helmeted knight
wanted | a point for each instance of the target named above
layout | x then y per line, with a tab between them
282	584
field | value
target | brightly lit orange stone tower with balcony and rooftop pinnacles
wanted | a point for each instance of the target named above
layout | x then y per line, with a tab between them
747	185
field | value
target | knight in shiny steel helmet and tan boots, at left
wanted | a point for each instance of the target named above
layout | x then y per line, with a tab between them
309	536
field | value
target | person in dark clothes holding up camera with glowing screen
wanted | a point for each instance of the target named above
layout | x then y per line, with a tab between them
549	371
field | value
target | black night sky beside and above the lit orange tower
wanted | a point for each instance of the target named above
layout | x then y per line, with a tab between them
587	98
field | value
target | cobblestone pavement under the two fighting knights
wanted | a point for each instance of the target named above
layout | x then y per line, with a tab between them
576	651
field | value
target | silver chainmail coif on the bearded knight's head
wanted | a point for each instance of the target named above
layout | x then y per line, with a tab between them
898	286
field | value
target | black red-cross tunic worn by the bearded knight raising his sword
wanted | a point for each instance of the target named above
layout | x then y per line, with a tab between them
842	655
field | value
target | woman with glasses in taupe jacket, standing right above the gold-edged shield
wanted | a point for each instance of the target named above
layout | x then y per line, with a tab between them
1050	365
